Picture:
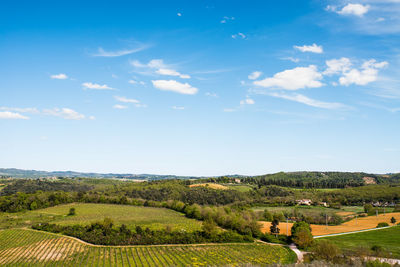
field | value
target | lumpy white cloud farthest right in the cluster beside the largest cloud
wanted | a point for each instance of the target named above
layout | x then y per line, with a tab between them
368	73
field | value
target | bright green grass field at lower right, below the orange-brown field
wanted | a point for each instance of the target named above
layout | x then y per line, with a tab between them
388	238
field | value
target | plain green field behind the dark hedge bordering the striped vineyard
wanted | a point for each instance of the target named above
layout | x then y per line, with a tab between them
131	216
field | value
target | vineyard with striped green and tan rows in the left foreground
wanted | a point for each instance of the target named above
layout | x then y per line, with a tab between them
20	247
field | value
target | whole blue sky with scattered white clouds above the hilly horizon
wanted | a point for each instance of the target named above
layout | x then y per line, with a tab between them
200	87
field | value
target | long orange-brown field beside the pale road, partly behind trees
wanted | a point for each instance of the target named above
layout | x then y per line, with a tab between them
362	223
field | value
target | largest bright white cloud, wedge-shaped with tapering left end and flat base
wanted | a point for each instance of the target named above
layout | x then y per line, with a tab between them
294	79
